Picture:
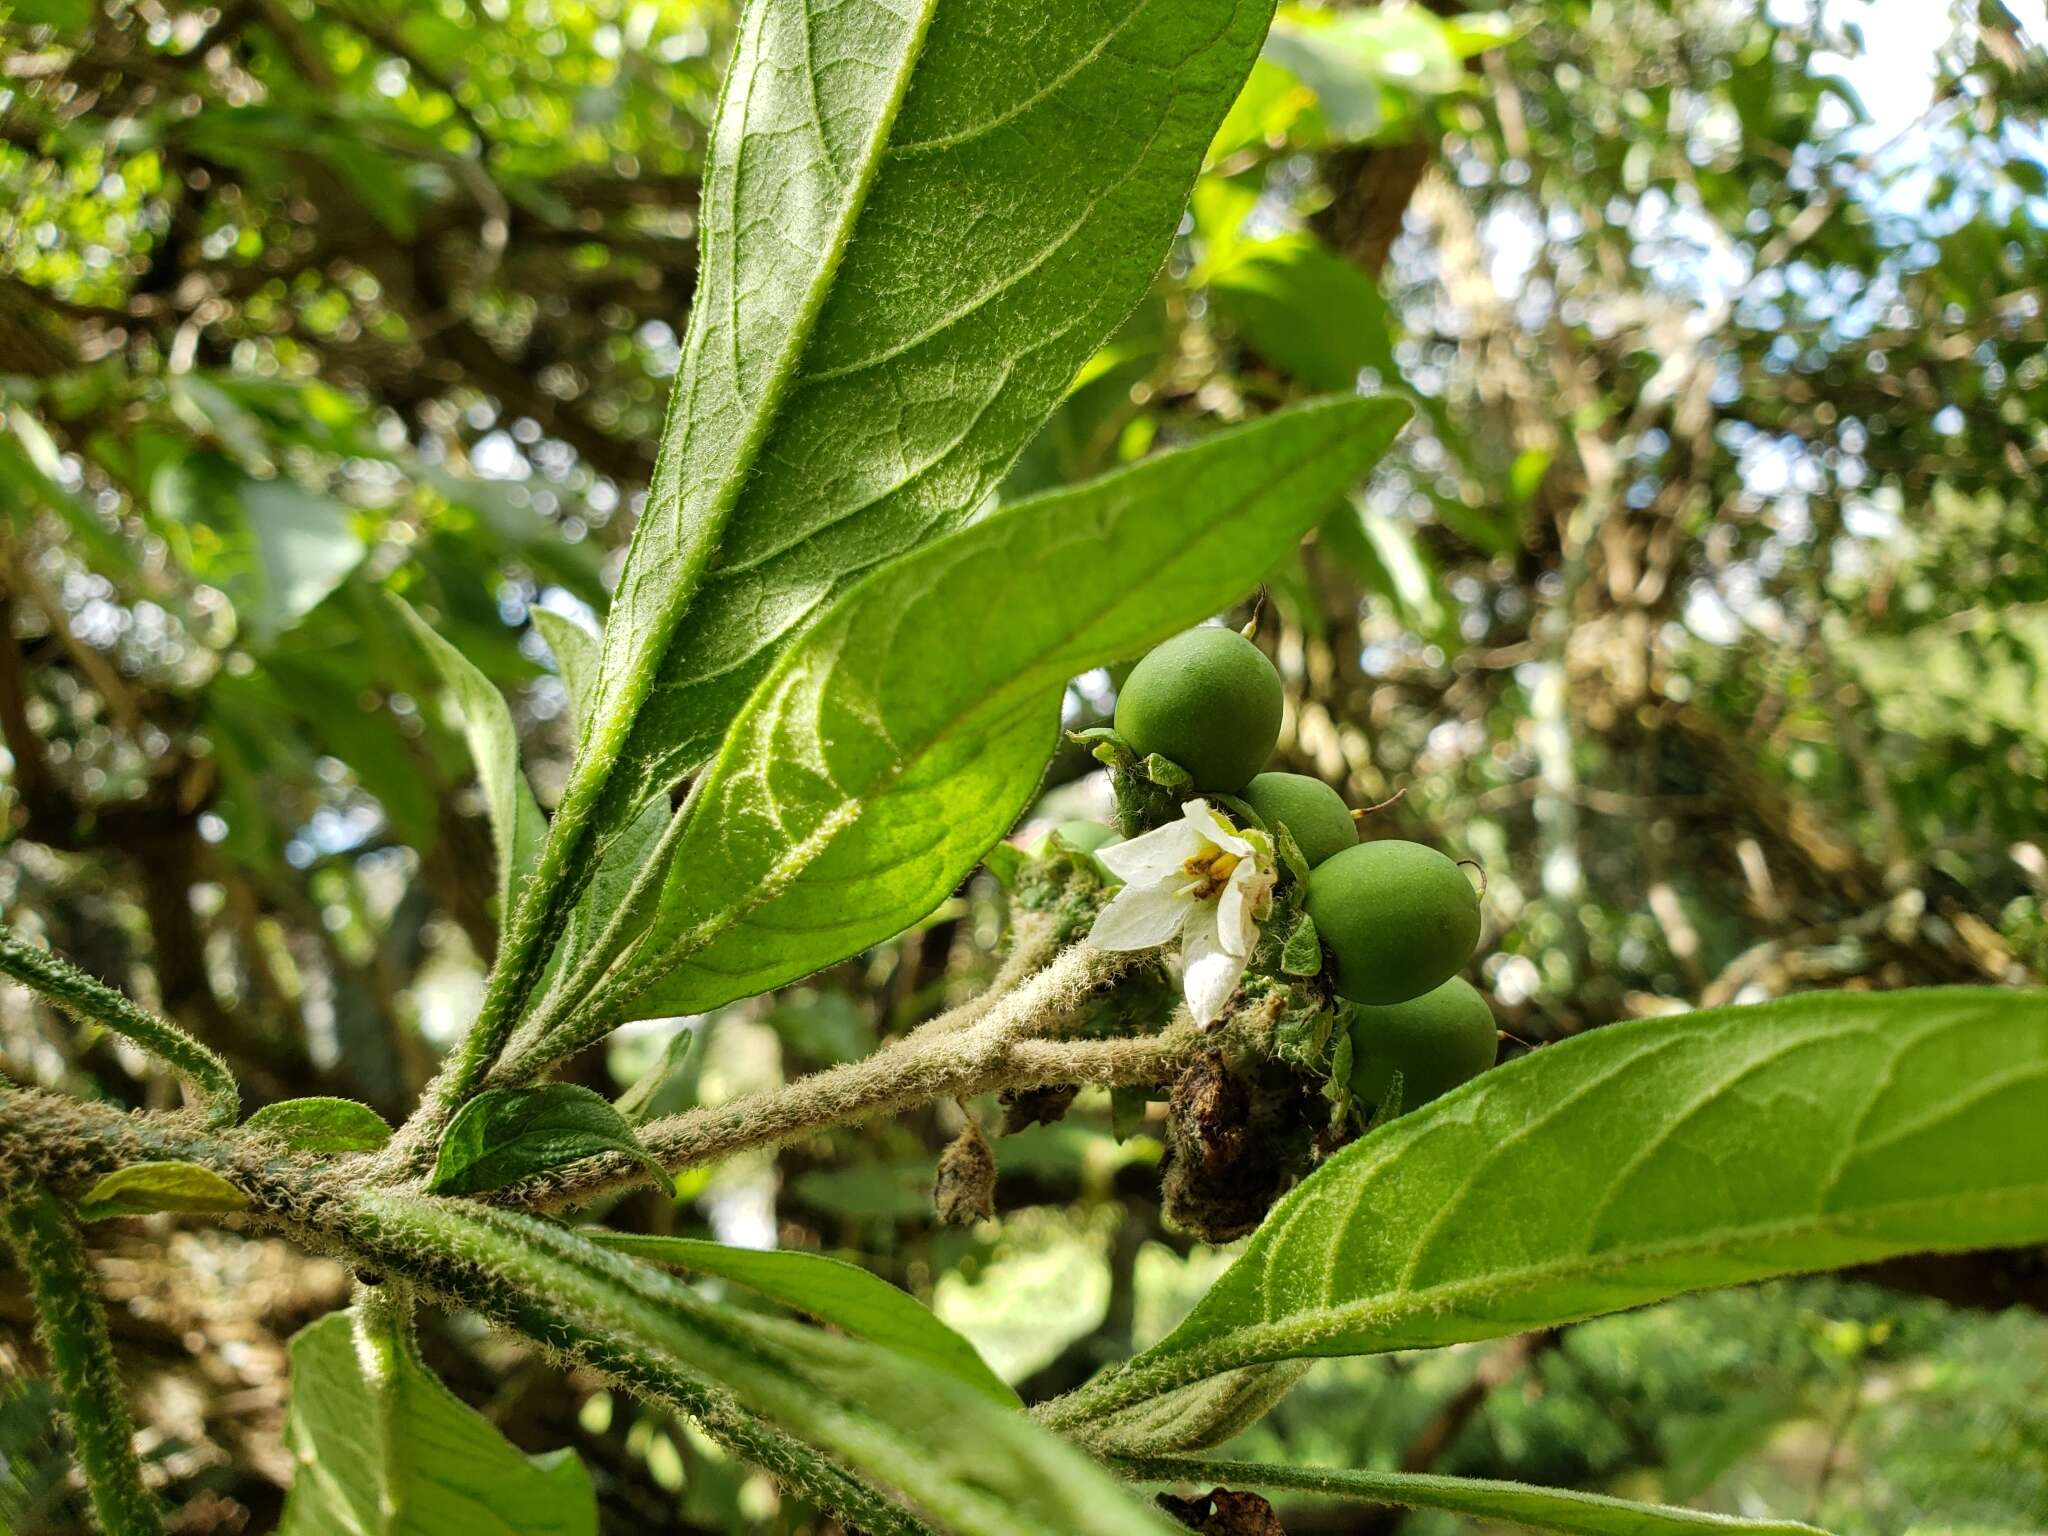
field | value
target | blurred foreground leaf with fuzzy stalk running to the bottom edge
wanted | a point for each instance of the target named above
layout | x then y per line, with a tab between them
820	1408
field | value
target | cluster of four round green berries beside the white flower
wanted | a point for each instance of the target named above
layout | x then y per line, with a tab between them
1398	921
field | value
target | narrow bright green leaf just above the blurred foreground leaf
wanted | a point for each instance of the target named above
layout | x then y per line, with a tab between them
830	1291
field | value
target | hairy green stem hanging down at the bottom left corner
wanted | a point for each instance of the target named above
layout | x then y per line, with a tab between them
73	1330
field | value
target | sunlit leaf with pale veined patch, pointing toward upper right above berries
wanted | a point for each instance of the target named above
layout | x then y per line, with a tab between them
904	736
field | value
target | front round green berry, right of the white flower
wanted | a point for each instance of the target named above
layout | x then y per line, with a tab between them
1396	916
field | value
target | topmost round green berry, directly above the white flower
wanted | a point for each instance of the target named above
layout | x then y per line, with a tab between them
1207	699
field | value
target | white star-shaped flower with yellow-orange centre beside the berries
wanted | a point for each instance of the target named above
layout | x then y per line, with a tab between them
1197	878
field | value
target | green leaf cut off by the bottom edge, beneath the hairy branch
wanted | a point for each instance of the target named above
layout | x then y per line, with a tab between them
384	1447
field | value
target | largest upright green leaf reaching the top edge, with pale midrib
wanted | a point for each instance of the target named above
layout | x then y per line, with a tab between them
919	222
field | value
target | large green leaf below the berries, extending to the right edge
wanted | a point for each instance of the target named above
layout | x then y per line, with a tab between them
1639	1162
